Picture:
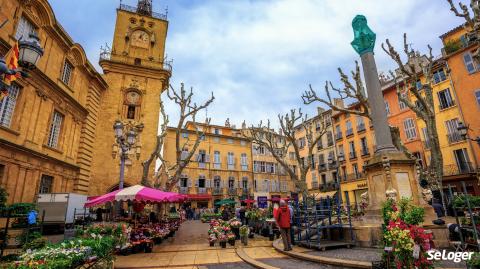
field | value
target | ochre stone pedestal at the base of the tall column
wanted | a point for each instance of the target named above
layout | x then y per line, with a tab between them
392	174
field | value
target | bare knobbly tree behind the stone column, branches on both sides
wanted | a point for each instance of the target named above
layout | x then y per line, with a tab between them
405	79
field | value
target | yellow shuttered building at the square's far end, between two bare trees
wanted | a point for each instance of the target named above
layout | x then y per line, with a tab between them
225	165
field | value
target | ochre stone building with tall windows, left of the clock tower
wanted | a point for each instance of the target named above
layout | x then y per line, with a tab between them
48	121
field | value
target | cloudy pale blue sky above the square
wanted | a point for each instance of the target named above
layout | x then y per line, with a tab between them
258	56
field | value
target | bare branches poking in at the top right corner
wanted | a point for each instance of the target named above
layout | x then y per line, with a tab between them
471	23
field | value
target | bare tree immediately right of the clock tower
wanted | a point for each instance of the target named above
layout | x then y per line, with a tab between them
183	151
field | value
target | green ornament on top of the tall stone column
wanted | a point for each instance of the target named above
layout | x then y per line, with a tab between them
364	37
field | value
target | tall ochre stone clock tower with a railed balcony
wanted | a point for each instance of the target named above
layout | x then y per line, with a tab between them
136	72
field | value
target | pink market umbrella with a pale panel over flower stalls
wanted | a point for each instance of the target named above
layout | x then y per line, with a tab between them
137	193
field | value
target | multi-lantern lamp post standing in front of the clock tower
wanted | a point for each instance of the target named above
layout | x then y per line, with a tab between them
125	139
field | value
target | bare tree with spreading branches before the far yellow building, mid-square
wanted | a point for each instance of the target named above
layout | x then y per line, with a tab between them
280	144
